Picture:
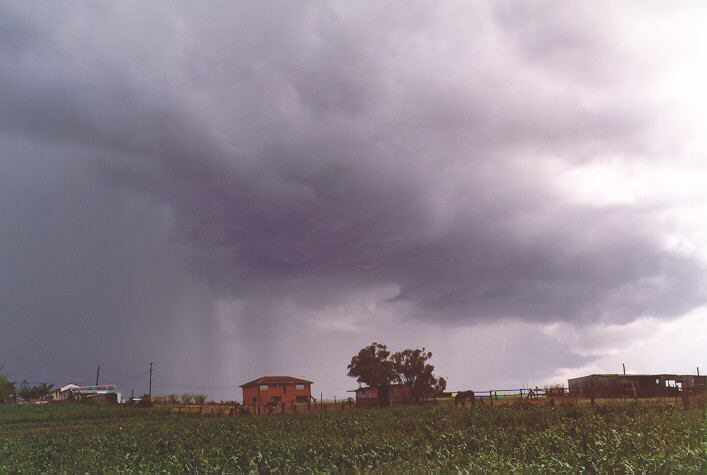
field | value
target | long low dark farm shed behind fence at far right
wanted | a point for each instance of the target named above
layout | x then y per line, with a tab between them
636	385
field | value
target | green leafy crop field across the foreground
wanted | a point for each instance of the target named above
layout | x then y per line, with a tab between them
614	438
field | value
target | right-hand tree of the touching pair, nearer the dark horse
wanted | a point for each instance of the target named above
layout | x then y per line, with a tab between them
411	369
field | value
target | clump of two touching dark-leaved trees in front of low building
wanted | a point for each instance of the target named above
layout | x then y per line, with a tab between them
374	366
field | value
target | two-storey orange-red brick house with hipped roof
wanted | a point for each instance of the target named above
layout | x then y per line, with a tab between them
276	389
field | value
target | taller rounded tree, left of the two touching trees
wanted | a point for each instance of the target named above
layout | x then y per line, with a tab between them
371	366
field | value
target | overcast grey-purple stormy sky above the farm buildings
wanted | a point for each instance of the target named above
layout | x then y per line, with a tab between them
233	190
